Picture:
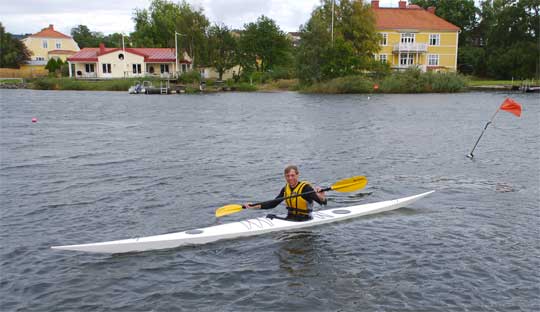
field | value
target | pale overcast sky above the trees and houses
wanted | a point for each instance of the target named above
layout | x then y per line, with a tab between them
109	16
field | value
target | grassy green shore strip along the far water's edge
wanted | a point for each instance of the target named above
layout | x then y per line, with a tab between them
397	83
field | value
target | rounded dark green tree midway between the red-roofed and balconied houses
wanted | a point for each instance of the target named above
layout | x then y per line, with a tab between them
263	45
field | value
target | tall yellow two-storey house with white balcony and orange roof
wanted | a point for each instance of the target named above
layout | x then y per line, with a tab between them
414	37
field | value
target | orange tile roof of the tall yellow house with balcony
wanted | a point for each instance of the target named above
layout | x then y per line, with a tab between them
410	18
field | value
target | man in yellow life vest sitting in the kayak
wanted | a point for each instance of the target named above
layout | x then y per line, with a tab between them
298	208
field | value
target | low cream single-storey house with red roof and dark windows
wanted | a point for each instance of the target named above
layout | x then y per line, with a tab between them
106	63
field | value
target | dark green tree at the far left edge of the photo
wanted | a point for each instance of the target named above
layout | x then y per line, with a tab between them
13	52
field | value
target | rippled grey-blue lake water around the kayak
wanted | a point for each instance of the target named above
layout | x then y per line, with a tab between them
100	166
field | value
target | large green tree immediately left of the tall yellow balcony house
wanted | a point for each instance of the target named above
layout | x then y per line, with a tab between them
349	49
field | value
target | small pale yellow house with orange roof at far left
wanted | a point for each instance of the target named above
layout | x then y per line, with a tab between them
49	43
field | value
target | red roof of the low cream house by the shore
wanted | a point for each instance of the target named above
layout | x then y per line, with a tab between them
150	54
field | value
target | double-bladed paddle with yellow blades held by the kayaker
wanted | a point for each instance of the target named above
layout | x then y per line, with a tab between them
346	185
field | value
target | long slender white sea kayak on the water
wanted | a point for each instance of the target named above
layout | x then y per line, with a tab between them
239	229
